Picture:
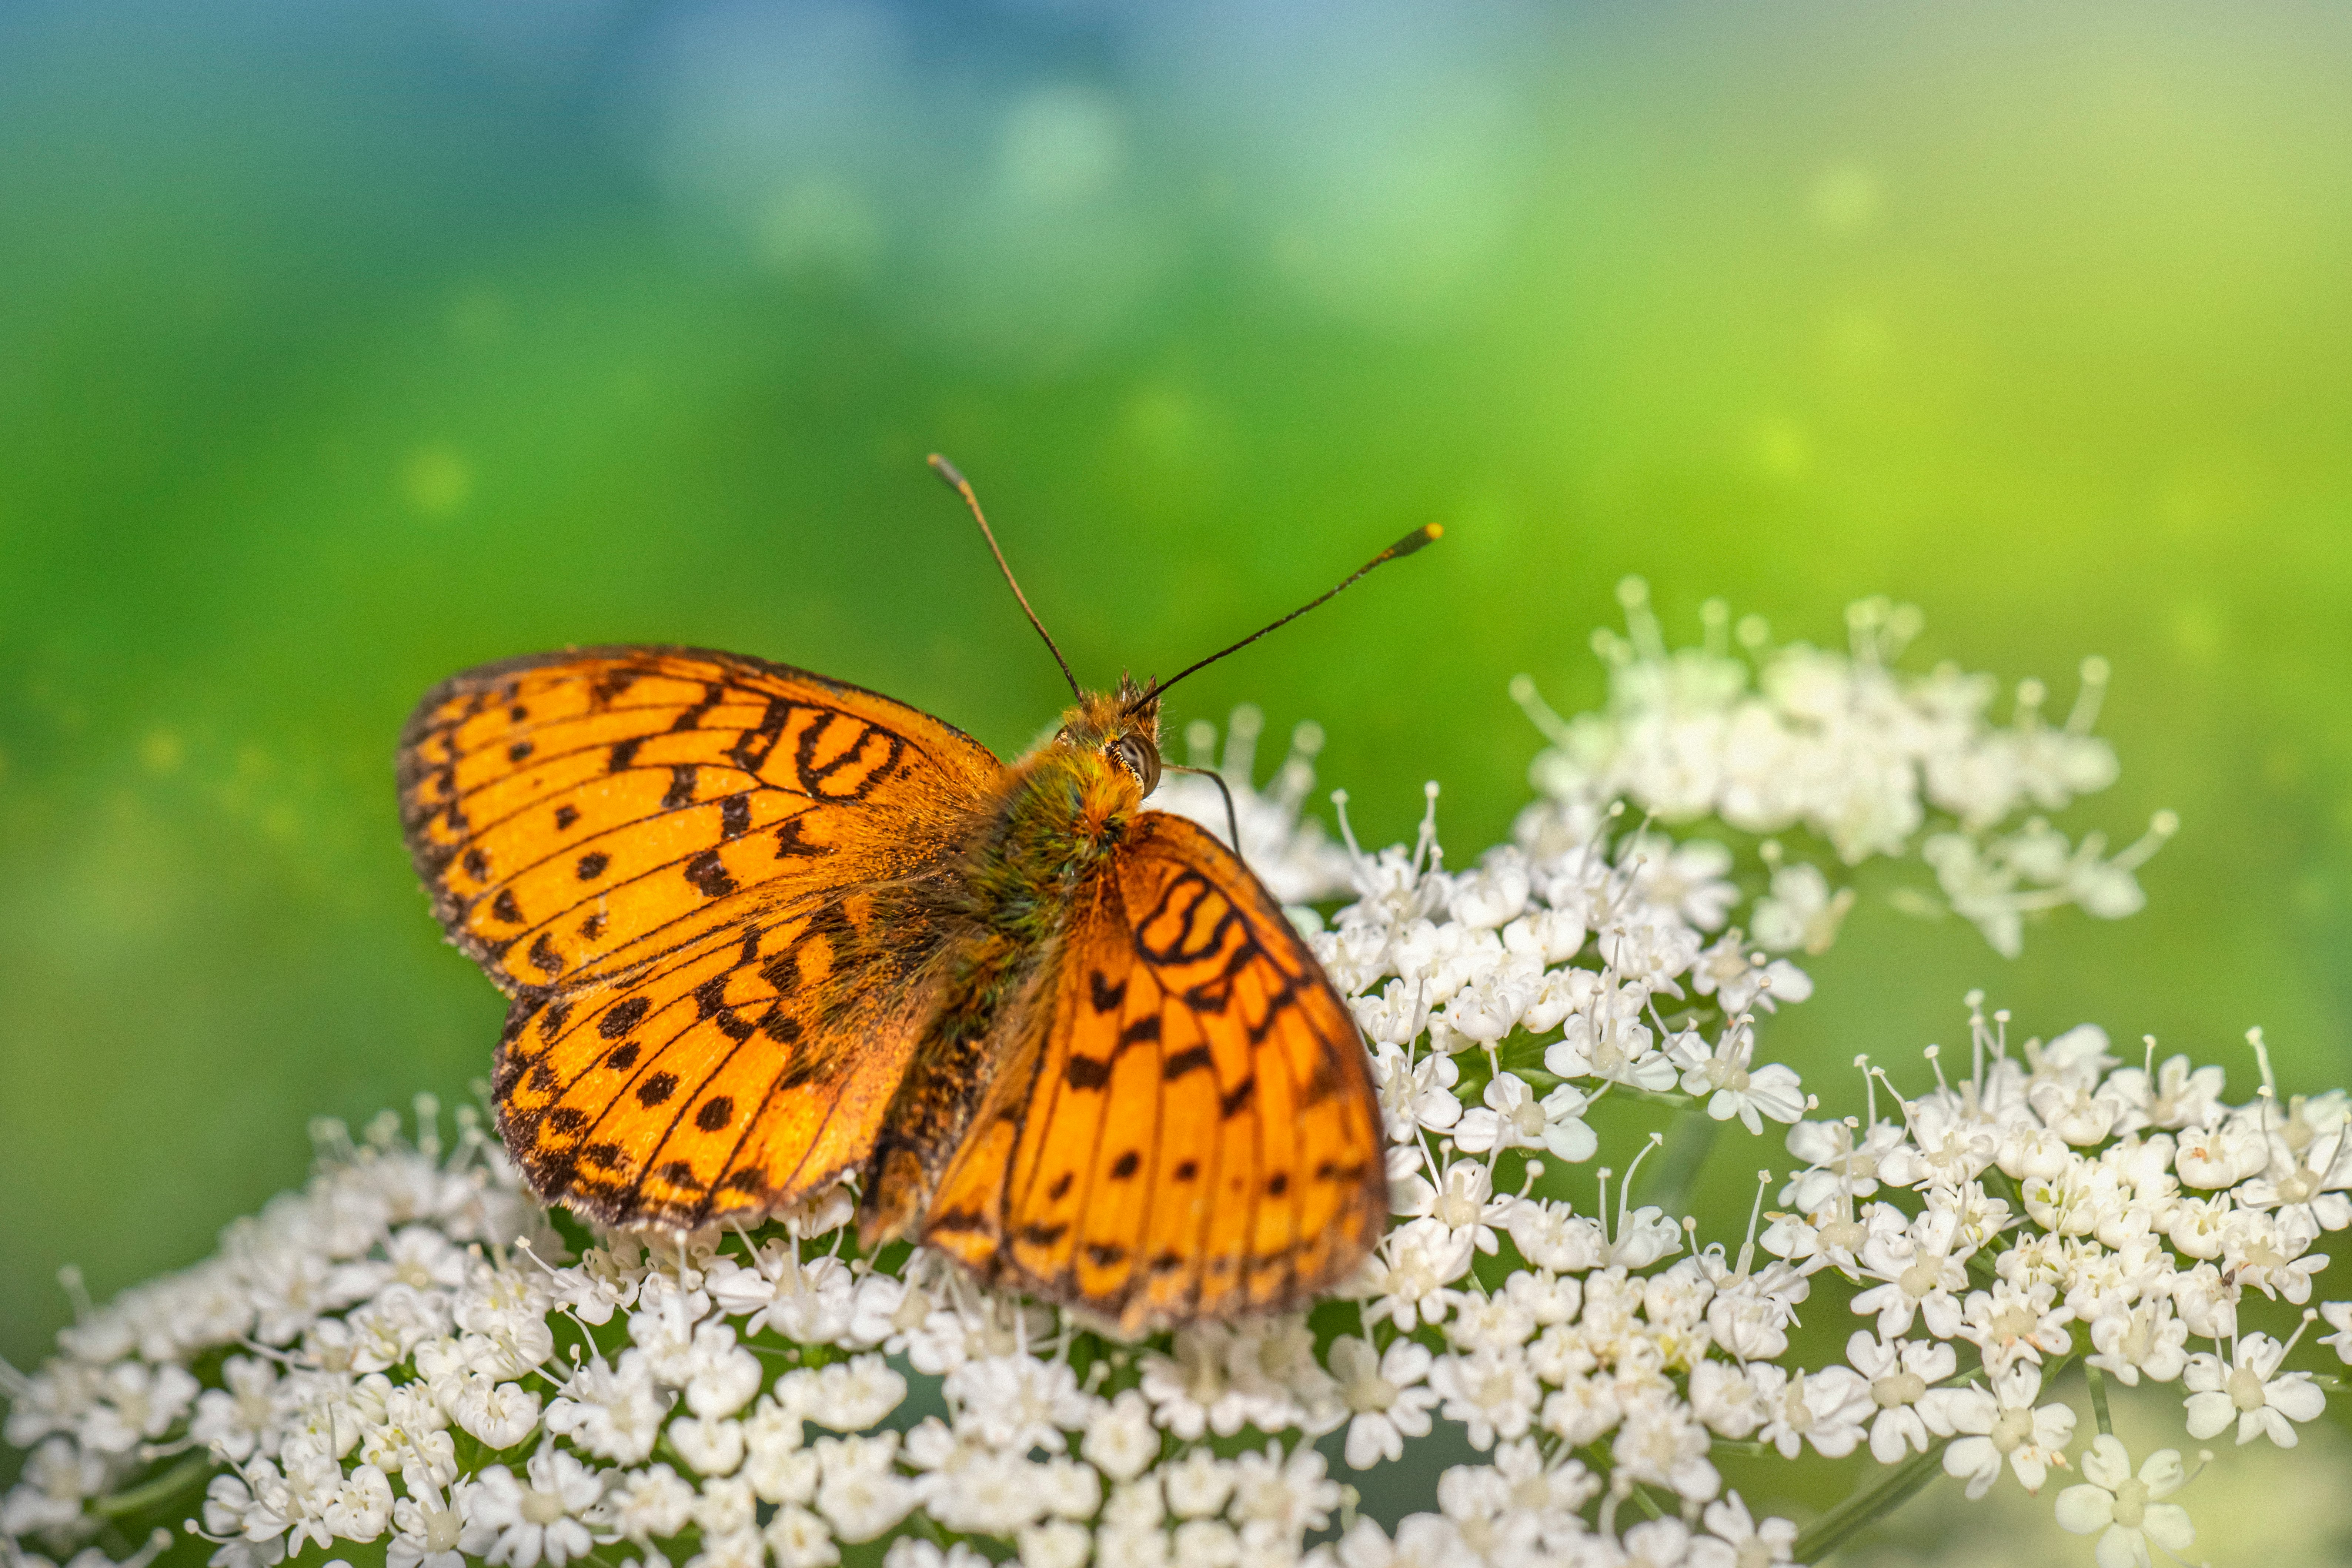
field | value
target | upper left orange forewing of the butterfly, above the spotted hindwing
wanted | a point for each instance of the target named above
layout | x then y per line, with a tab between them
575	815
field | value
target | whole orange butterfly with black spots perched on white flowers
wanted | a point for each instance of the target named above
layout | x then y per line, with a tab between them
766	930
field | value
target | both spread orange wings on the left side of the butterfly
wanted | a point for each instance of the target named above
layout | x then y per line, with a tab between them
709	887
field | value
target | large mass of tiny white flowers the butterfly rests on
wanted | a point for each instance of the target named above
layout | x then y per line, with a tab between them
410	1353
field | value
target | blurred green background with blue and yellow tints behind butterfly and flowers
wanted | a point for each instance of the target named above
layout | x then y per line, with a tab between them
352	344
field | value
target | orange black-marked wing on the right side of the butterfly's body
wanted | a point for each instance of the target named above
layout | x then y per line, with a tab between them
1194	1130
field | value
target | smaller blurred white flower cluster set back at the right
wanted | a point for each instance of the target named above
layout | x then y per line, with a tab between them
1857	753
